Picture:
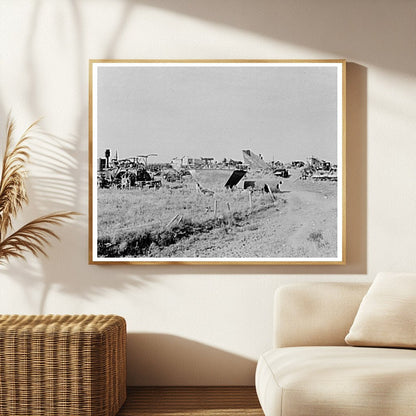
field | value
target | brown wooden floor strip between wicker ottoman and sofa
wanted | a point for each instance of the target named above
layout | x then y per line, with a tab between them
195	401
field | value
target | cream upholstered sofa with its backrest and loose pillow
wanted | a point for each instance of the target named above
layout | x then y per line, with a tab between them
312	371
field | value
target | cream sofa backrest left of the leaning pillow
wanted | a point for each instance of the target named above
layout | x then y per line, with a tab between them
309	314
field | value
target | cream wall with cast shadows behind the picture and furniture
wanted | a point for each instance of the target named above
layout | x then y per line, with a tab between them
189	324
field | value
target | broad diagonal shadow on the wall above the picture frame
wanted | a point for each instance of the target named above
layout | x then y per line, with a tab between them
369	34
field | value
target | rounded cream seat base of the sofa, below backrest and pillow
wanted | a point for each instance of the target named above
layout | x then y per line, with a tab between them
328	381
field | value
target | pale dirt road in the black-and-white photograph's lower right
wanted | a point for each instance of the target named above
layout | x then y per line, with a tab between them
300	223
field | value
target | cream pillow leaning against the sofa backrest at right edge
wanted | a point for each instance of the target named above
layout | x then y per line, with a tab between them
387	314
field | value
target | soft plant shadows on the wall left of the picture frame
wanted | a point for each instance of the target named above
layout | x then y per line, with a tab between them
59	182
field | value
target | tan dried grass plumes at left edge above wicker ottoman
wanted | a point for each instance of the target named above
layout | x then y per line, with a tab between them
34	236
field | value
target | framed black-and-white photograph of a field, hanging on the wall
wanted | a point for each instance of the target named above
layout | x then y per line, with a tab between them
217	162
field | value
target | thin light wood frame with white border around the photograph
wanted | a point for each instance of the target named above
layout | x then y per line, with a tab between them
339	259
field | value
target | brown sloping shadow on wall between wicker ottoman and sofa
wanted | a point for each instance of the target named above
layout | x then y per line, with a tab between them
169	360
